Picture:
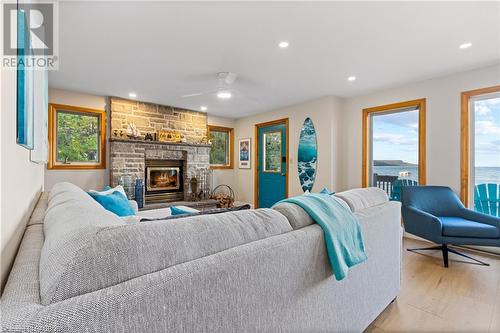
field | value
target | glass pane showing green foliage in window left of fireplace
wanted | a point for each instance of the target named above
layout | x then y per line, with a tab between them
77	137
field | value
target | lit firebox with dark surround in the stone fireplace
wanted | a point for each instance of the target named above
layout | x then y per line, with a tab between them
164	180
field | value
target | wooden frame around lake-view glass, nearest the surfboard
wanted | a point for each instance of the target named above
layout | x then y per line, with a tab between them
419	104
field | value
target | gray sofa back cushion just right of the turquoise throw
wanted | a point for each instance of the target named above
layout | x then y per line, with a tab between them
362	198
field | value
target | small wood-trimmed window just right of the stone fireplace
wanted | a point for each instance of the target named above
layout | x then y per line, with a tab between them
221	153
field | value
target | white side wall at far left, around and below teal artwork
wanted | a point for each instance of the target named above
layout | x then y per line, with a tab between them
21	180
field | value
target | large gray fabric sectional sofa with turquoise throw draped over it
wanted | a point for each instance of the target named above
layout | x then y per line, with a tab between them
81	268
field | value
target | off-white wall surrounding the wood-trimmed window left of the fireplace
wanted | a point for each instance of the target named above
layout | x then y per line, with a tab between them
86	179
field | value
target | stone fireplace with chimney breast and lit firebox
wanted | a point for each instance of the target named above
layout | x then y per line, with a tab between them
165	167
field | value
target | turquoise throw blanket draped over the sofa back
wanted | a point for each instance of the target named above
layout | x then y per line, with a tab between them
343	234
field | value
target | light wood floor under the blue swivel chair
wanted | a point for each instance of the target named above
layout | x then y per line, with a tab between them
461	298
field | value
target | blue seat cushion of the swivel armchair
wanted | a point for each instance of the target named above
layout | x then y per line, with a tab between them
460	227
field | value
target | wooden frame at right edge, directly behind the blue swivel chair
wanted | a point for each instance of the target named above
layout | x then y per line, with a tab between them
467	162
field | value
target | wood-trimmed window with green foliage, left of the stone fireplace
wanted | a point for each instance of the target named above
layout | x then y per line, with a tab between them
77	137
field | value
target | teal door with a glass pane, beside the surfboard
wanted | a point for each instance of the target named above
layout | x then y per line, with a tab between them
272	164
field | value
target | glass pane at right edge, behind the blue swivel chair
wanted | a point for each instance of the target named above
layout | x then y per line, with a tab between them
487	155
